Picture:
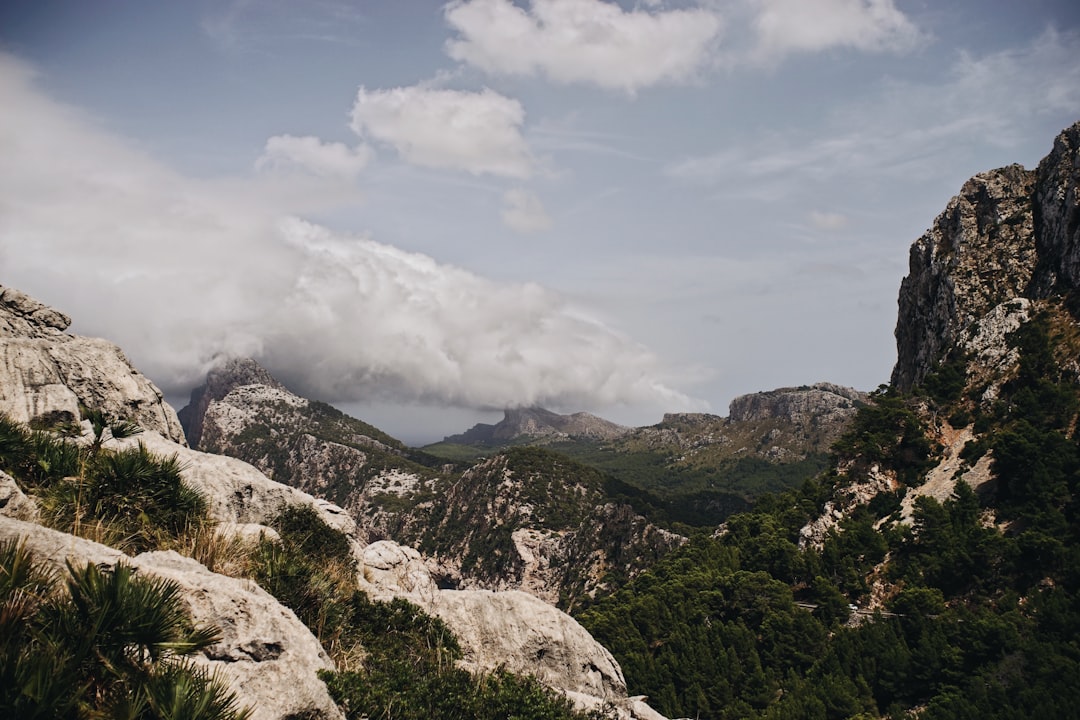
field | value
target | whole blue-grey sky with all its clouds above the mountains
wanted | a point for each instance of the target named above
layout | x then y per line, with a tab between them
425	212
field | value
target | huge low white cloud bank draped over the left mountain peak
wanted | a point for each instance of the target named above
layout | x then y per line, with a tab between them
180	271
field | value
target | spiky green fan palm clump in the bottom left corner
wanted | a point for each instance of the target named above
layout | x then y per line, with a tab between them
107	644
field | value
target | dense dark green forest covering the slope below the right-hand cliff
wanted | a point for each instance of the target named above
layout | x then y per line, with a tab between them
977	602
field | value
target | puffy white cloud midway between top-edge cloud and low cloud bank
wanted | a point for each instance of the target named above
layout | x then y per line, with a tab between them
480	133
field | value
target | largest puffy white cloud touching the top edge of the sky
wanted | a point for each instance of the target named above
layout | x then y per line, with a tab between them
584	42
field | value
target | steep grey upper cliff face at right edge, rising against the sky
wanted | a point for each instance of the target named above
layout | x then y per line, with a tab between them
1010	234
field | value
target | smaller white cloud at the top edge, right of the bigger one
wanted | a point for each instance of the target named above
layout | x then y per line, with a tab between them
791	26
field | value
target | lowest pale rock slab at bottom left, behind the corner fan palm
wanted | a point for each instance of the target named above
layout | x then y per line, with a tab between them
268	657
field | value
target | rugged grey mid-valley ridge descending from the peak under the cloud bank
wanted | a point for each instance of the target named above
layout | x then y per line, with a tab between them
512	522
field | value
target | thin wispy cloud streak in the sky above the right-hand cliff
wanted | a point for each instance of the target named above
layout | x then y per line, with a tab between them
916	130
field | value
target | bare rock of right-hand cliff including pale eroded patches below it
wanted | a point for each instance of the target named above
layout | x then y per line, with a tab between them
1003	256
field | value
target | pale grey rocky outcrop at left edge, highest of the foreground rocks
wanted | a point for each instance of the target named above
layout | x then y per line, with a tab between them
48	374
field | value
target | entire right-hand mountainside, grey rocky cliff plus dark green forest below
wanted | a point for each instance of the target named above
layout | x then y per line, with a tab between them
931	569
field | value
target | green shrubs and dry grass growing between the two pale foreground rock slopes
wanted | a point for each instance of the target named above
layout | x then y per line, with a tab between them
395	661
